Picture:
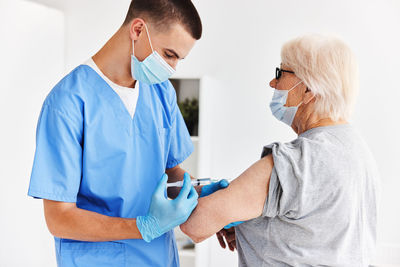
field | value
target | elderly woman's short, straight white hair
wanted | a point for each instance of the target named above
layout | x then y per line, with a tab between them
328	67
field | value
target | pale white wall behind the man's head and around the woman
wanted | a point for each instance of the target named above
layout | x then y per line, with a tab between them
240	49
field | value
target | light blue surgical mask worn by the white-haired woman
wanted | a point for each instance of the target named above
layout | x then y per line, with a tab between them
277	105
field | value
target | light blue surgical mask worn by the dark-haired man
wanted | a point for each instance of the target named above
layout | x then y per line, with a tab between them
153	69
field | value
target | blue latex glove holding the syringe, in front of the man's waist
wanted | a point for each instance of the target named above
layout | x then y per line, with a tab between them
165	214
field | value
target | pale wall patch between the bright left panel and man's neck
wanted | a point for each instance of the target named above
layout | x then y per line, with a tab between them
88	25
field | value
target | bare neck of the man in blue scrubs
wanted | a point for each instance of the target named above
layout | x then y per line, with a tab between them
114	59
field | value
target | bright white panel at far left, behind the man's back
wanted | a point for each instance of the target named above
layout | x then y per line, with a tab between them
31	61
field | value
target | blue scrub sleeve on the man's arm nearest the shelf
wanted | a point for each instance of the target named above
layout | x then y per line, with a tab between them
181	145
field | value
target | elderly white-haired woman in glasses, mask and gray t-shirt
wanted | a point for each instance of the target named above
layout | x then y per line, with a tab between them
312	201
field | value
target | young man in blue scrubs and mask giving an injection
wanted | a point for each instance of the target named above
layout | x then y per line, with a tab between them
106	134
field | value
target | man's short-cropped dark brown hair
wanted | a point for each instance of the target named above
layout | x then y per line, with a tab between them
163	13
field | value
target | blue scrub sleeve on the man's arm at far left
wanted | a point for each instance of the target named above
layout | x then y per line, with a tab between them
56	172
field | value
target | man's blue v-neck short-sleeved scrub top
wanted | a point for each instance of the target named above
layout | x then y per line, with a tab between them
90	151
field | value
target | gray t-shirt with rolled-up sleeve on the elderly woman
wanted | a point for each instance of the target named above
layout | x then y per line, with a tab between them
321	205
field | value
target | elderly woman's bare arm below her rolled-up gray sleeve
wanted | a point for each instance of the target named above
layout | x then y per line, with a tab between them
242	200
